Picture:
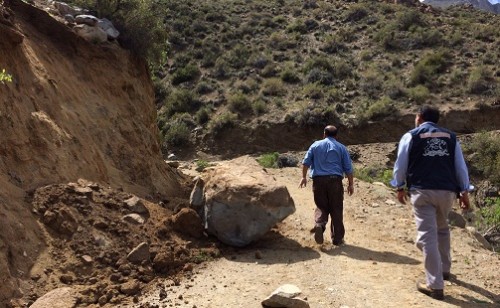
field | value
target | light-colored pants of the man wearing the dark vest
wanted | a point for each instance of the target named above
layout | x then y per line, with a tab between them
431	208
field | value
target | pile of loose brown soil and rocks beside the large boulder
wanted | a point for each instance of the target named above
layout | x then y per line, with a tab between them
108	244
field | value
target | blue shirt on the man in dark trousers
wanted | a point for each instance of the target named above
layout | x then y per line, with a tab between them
328	157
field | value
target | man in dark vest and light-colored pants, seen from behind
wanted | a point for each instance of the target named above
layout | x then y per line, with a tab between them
430	164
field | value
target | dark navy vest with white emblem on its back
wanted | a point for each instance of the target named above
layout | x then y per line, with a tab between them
432	158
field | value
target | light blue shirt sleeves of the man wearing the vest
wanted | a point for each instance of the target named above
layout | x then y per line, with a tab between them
401	164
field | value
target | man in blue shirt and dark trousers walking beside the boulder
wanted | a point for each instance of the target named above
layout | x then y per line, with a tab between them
328	160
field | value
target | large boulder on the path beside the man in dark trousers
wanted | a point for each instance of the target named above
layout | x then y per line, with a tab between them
242	201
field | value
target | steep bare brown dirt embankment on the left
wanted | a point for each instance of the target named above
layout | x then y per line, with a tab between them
73	110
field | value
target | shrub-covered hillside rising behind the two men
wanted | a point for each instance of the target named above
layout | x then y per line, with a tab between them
239	72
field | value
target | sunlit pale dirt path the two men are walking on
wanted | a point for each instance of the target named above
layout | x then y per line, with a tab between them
377	267
